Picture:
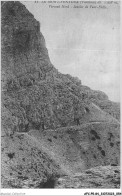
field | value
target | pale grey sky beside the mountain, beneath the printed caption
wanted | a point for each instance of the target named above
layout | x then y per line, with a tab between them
83	42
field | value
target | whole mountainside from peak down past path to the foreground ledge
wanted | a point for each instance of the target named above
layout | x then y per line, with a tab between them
64	127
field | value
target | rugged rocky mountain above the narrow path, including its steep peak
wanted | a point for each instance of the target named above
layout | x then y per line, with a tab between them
34	91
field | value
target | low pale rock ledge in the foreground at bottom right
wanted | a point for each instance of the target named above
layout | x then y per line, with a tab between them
97	177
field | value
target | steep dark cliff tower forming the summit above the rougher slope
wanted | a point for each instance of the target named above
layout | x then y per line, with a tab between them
23	46
